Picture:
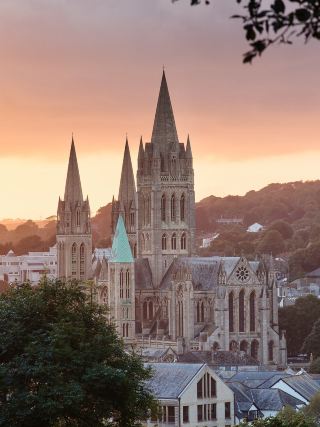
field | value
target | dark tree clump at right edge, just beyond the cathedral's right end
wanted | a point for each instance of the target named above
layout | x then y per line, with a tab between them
297	320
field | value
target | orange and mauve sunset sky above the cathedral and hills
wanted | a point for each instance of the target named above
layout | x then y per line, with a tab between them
93	67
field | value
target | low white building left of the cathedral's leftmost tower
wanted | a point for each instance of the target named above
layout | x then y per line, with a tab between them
31	267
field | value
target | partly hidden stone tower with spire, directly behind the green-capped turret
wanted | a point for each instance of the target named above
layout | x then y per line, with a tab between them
126	205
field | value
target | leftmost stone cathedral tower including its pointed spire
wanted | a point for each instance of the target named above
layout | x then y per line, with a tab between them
74	238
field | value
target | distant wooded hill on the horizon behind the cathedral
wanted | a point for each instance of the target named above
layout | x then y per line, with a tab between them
289	212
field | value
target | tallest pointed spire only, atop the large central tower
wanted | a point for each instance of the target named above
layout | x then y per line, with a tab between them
164	127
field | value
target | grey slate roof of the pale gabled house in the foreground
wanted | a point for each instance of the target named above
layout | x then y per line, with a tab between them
170	379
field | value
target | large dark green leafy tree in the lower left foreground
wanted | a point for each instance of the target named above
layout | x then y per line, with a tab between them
62	363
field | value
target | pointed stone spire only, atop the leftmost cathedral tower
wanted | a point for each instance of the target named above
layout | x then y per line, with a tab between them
73	190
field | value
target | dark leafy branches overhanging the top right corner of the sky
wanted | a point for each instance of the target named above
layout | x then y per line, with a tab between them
277	21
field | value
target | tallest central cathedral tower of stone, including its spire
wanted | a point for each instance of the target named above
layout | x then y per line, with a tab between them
165	184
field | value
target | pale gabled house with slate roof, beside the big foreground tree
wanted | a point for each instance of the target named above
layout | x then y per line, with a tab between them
190	395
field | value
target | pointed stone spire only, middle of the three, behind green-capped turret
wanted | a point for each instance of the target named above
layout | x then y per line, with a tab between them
127	188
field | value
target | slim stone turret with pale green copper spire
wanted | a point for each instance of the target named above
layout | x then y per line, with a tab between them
122	283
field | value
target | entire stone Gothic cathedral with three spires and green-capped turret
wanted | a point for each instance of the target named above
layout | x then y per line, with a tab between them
157	288
